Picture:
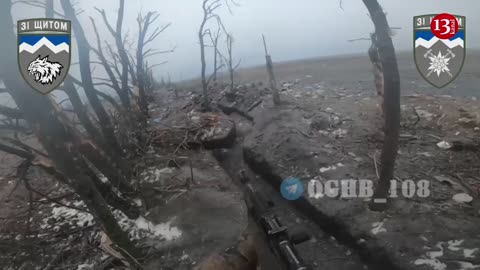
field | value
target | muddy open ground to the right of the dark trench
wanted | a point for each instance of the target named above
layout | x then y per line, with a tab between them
329	128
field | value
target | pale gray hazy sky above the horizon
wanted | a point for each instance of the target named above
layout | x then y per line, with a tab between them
294	29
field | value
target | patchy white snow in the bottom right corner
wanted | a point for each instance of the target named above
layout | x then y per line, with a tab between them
432	258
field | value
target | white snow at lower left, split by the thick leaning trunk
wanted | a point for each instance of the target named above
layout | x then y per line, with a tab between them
137	229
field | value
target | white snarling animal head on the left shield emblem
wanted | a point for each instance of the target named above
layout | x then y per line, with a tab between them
45	72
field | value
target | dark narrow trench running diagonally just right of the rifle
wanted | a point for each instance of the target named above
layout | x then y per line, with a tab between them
232	160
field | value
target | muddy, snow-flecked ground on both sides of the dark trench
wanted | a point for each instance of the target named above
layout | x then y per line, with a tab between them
327	128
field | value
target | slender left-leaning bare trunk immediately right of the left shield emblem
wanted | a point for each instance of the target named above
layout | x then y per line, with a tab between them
87	82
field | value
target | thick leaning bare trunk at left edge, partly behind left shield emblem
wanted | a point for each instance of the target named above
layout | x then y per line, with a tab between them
54	136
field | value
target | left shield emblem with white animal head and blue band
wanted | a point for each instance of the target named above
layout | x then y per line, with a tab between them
44	47
